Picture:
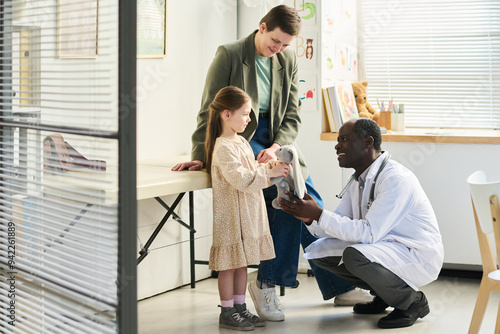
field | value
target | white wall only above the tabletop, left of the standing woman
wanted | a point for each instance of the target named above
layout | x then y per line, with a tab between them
169	89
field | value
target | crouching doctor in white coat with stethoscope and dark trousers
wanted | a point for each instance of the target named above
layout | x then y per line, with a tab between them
383	236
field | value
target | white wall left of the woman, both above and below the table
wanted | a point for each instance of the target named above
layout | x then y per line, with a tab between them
168	100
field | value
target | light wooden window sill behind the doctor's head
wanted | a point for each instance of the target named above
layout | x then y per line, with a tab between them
421	135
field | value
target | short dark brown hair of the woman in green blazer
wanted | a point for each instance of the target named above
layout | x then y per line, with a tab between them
283	17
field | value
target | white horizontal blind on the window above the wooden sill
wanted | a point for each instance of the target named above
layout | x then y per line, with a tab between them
441	59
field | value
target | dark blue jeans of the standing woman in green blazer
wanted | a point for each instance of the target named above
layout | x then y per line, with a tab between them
288	234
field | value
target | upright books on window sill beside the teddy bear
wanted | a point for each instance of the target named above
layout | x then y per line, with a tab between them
342	104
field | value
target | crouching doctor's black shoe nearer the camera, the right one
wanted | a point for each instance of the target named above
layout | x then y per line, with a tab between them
405	318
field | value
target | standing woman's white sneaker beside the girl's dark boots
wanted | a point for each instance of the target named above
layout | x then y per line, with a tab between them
266	302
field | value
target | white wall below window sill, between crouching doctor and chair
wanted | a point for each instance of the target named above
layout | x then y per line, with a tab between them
443	170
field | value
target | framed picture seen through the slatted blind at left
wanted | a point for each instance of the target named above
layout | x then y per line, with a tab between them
77	28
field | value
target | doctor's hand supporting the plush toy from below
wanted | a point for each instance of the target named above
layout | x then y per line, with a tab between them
305	209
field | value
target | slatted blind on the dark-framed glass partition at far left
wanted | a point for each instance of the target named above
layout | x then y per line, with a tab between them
61	161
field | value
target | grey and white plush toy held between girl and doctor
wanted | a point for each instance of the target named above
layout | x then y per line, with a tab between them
294	180
